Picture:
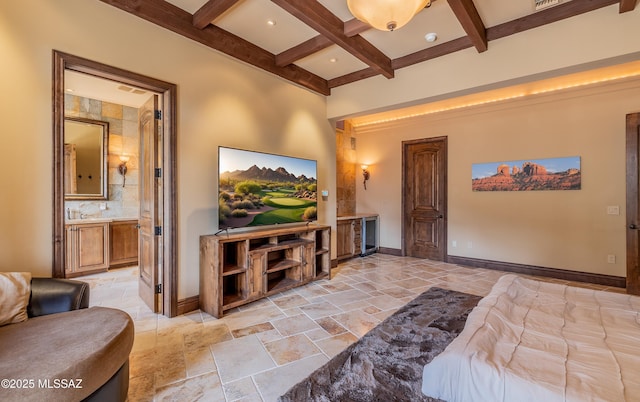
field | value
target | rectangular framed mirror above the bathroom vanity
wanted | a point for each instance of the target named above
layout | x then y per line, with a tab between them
86	143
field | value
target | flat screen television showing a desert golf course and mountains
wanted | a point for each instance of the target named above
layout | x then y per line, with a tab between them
257	188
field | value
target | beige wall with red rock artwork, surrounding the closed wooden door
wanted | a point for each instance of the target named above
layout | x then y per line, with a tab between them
556	229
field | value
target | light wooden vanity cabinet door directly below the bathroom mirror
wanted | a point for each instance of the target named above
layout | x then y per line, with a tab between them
92	246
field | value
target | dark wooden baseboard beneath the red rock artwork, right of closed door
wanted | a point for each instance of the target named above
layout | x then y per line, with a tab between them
576	276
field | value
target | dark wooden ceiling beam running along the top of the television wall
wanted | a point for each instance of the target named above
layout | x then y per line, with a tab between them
179	21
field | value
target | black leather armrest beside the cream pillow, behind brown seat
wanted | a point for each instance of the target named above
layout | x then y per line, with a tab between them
53	295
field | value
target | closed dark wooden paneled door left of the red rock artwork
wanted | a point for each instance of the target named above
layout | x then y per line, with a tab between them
424	184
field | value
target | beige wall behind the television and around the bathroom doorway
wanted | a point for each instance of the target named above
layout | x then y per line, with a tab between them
220	102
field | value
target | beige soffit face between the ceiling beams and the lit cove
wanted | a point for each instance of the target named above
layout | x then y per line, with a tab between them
599	38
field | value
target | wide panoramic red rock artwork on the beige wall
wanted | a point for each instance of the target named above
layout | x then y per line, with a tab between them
527	175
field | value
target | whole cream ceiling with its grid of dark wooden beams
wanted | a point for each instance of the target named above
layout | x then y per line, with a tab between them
318	44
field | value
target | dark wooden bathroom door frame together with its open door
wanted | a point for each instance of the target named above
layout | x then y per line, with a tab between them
158	251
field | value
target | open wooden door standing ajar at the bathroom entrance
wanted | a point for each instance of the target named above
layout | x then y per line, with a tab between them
149	242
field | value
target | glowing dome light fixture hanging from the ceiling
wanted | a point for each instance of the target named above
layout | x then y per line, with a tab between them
386	15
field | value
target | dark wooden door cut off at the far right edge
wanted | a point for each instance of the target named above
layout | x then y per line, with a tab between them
633	204
